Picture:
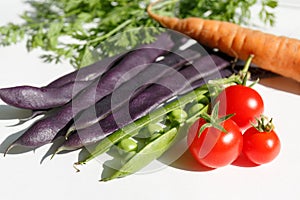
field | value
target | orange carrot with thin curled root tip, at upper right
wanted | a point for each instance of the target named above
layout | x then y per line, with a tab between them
278	54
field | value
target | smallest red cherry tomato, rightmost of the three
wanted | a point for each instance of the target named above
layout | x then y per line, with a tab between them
260	147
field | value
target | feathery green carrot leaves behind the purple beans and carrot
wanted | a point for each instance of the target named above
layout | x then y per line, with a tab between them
72	29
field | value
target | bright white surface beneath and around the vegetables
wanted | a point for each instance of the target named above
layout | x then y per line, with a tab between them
23	177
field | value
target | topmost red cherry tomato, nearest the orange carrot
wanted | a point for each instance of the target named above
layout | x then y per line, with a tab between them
243	101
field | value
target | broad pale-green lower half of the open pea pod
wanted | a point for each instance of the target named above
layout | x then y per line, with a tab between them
150	152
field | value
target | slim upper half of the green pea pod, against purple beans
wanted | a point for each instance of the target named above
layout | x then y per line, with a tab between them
133	128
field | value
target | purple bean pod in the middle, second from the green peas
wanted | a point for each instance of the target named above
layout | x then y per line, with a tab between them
165	67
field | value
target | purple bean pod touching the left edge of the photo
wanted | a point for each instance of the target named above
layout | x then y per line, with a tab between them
58	92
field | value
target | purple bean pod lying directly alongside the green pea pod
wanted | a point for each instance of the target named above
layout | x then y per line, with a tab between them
203	69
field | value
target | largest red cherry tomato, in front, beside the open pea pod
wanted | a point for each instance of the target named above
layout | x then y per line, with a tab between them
215	148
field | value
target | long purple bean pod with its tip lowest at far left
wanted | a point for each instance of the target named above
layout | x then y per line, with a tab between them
45	130
